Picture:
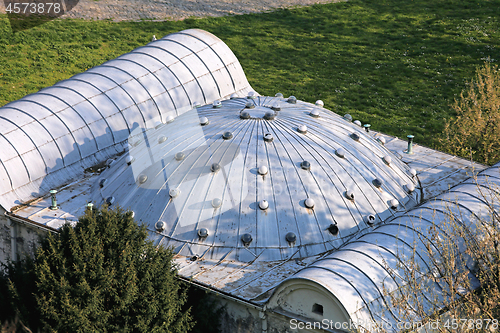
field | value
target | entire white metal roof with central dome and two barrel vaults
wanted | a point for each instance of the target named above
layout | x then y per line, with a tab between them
207	173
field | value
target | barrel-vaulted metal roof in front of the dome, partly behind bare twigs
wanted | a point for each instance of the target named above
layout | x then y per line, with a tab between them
358	274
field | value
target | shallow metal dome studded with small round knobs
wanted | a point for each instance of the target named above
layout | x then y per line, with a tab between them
257	177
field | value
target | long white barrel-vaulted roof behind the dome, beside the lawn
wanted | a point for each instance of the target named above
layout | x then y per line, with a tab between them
49	137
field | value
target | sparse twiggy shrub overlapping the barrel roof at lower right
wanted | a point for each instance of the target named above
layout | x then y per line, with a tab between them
460	284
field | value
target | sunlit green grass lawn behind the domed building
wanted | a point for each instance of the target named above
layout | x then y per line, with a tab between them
397	64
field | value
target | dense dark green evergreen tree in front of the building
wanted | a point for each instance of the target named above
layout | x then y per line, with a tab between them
103	275
